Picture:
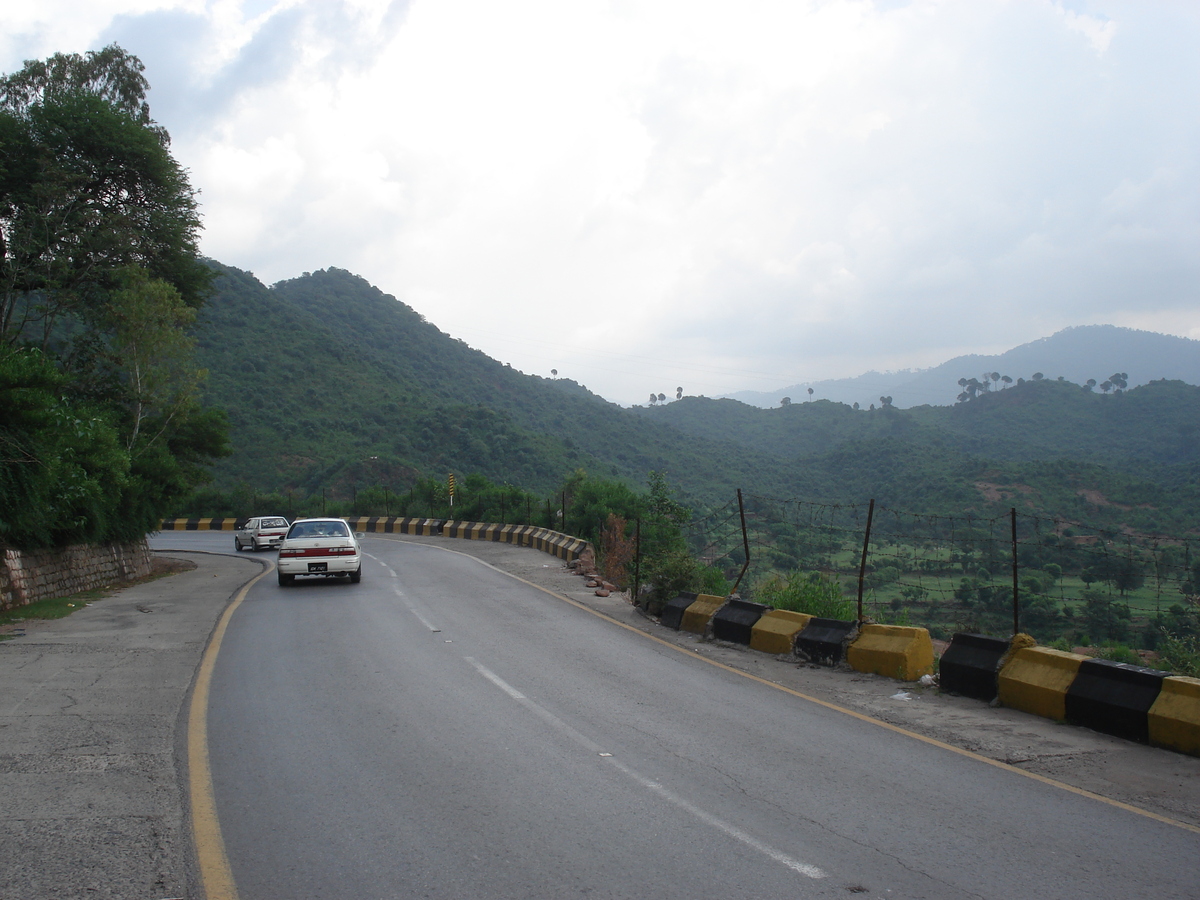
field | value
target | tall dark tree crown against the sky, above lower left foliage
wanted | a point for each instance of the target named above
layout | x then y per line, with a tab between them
88	189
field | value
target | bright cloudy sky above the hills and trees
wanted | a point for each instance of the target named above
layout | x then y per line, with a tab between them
645	195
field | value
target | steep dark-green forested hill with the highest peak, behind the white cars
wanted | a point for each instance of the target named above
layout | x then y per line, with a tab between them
332	383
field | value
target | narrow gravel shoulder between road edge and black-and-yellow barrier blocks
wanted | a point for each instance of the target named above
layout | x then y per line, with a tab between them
1160	782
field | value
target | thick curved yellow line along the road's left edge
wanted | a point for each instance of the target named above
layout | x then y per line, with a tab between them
217	878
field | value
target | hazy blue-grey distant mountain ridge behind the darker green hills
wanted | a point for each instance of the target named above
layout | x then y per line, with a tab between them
1076	353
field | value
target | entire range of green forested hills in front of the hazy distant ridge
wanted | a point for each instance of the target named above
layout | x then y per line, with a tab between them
331	383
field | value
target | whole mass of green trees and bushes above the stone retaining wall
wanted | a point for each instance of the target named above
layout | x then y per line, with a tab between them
99	272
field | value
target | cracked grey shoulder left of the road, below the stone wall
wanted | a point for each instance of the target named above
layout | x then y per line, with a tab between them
92	730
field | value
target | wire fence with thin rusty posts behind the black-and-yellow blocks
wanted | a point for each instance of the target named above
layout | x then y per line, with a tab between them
1059	580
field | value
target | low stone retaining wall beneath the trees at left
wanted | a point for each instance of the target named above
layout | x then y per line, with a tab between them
27	577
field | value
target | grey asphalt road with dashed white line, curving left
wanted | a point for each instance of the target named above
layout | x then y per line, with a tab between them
442	730
